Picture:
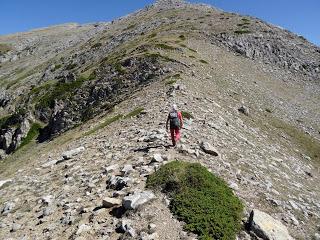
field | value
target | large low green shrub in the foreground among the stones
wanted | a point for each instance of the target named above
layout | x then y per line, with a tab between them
202	200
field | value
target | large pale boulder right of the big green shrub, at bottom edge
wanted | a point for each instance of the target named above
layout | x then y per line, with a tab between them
266	227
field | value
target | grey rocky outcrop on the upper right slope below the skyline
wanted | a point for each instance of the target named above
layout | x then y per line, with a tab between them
272	47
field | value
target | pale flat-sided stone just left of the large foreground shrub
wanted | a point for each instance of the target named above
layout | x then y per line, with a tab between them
137	199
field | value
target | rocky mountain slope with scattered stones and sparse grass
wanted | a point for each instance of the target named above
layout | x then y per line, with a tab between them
252	89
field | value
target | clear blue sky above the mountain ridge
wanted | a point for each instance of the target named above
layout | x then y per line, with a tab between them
301	17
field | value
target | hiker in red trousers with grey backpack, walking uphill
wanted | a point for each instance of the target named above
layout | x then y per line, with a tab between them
175	119
